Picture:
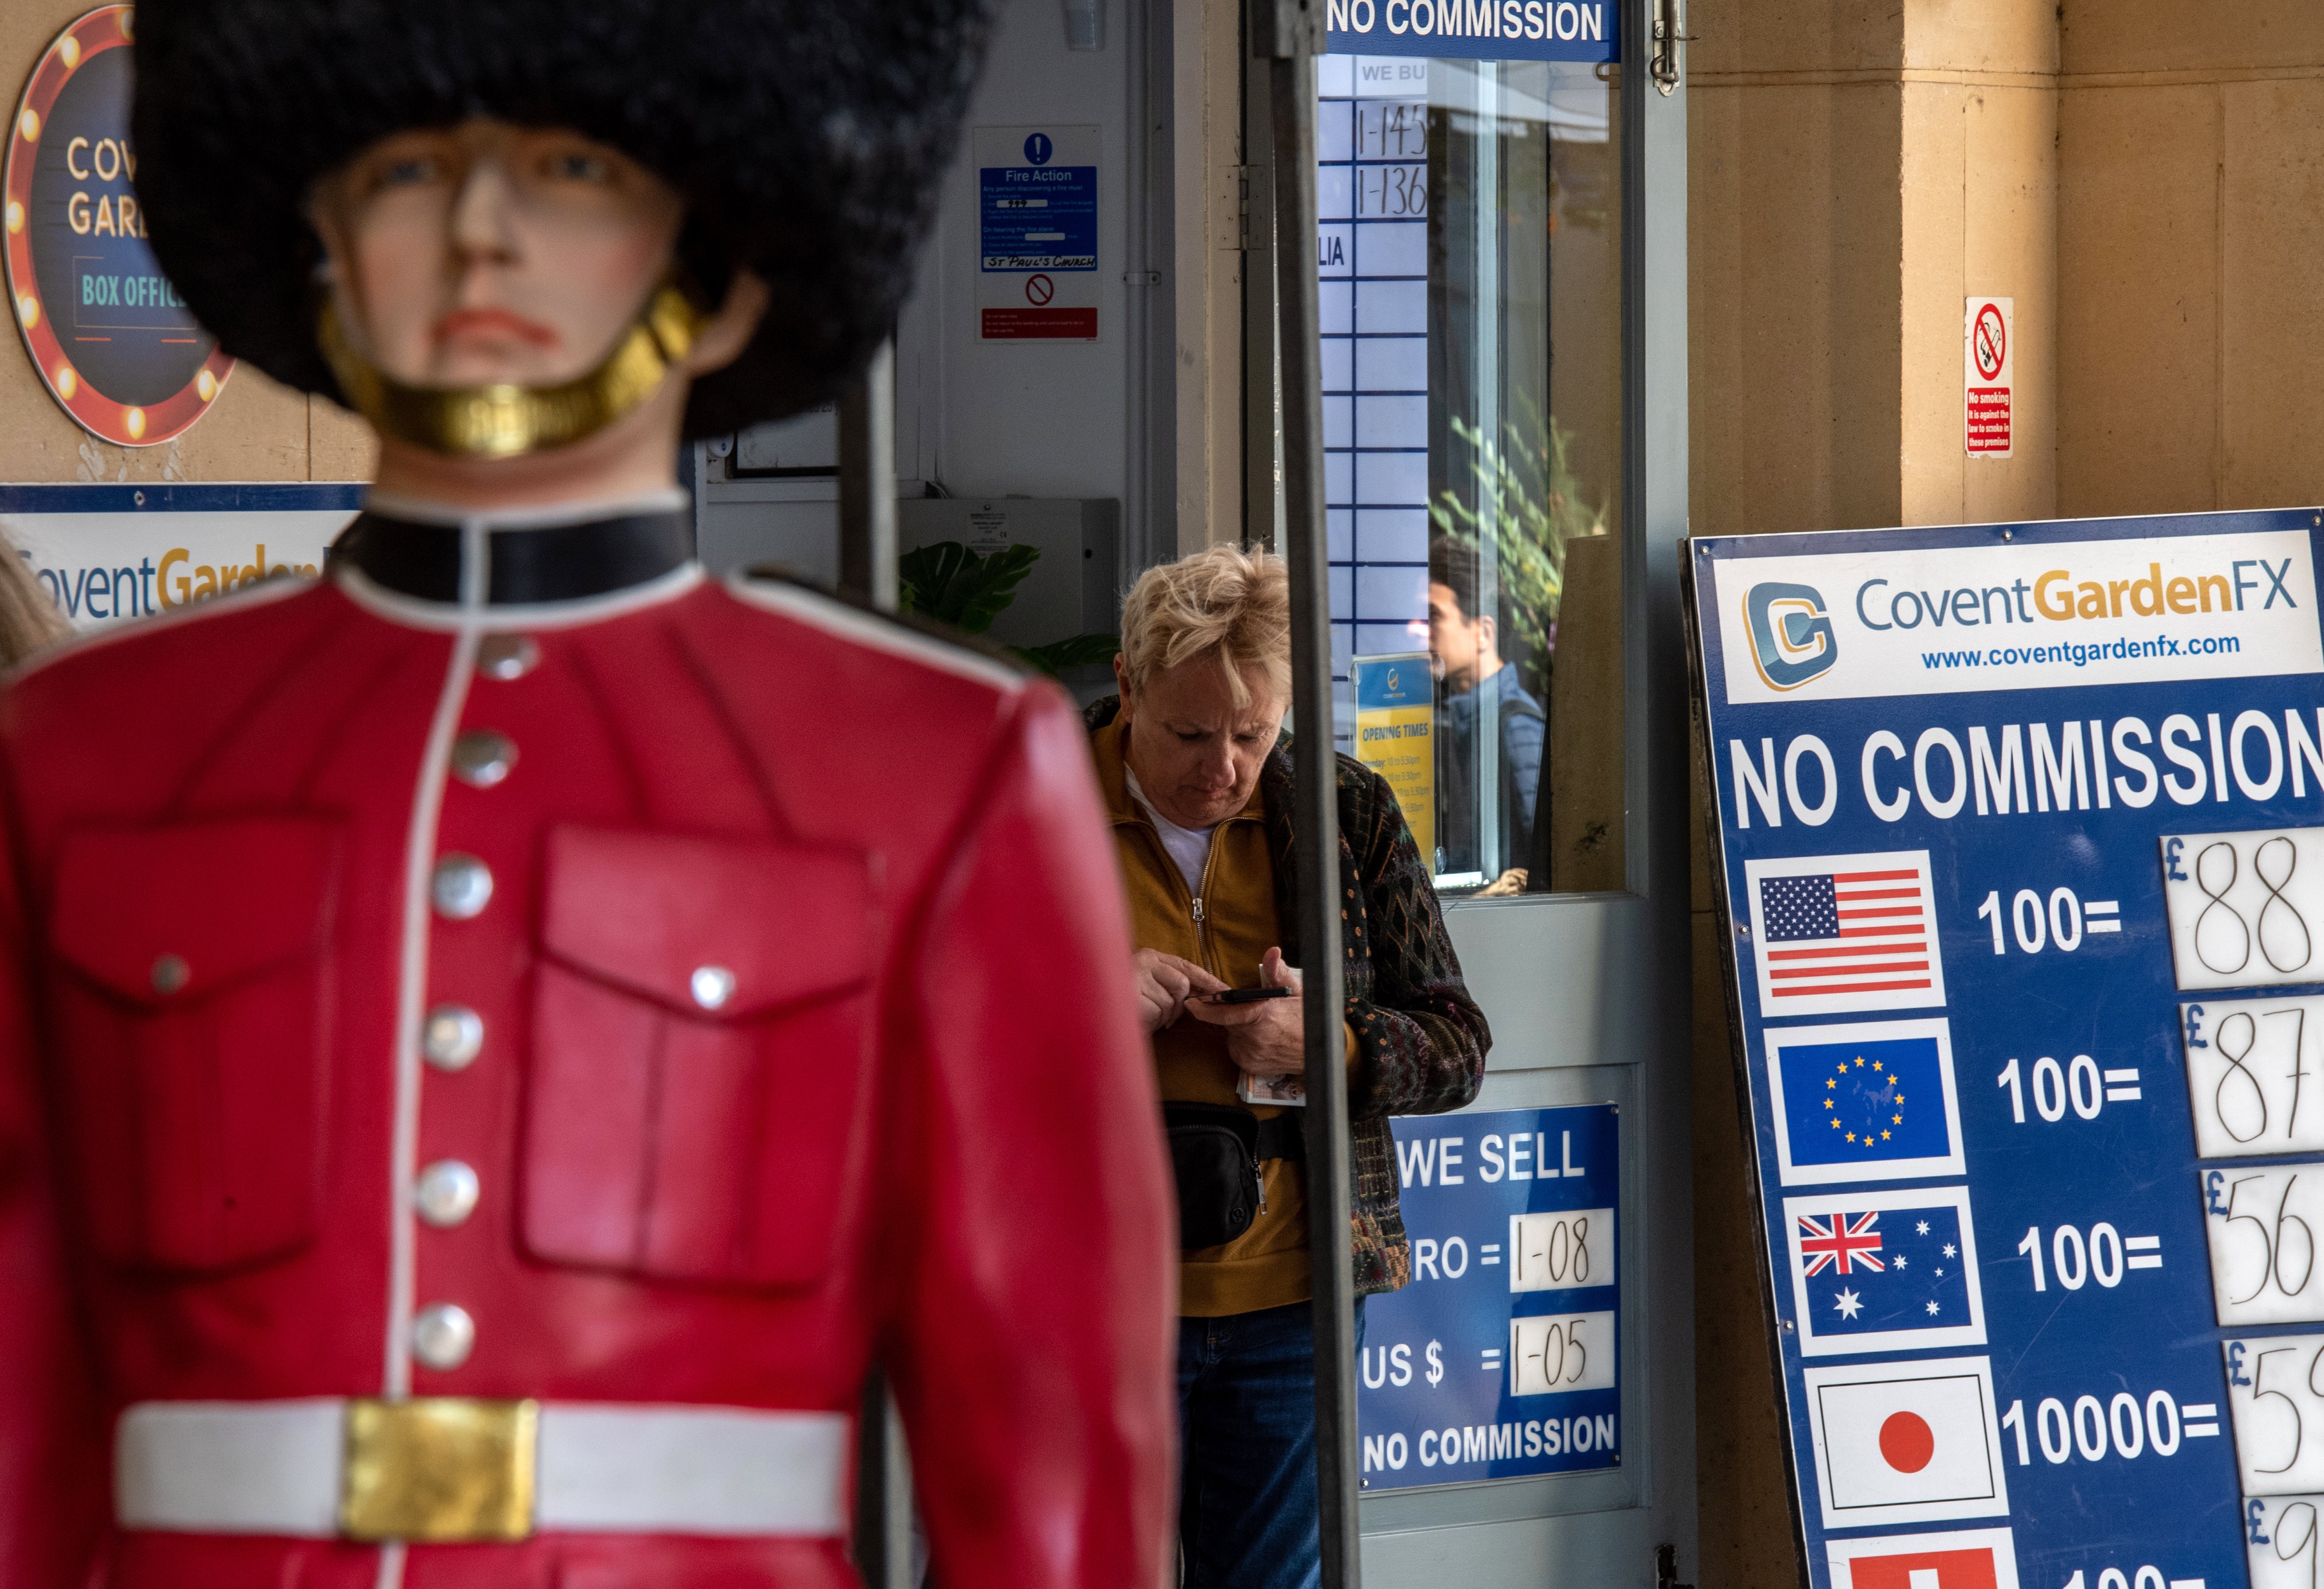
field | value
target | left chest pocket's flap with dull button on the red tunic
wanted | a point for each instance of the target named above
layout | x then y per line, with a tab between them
180	912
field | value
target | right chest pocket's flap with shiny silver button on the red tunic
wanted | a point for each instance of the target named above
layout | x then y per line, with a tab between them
722	928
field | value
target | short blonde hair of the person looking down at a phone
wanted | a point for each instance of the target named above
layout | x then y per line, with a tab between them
1219	603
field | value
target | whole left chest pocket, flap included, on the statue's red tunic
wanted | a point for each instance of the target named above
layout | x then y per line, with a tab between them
192	1021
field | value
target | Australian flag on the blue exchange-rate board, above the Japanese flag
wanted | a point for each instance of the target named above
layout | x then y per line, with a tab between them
1891	1270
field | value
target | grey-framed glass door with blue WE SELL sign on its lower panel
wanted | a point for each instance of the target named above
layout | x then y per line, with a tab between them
1502	312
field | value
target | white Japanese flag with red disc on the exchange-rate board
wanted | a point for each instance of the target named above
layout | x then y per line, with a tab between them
1907	1444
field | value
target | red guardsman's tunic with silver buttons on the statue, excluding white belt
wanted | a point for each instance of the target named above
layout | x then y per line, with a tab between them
908	1107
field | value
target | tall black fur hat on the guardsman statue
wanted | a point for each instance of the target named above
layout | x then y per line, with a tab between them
805	136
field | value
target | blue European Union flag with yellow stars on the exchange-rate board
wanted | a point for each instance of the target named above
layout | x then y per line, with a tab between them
1865	1102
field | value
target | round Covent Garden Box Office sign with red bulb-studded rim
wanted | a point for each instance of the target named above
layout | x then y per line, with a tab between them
103	326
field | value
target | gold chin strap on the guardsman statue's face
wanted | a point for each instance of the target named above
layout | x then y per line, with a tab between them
505	422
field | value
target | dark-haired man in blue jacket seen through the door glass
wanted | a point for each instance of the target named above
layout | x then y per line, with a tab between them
1477	693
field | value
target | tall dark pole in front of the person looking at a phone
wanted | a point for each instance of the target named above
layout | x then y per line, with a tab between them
1289	36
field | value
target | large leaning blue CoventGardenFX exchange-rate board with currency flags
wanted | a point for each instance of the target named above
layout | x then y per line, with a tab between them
2023	856
